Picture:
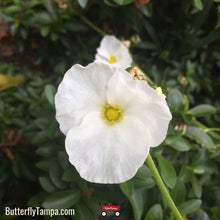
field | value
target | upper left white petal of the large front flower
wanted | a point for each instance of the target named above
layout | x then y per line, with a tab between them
82	90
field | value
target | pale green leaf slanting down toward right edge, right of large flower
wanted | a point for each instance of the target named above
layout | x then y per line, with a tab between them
200	137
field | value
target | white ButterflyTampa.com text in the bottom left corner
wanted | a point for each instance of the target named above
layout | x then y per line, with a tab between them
36	211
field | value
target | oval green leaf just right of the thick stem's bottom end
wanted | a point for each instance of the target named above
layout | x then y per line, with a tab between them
190	206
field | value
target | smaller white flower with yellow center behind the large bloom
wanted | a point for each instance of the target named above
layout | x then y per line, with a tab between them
113	52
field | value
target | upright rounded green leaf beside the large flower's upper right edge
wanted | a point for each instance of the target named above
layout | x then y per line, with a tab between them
175	100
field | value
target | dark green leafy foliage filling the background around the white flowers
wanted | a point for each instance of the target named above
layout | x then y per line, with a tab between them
178	50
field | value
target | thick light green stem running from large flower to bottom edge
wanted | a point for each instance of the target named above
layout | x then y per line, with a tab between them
162	187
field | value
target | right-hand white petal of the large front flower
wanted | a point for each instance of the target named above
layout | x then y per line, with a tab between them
141	101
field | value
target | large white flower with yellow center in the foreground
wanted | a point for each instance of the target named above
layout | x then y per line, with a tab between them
110	121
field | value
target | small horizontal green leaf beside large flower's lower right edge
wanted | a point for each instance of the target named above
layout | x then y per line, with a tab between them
178	143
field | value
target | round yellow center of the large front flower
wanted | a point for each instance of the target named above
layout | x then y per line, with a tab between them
112	114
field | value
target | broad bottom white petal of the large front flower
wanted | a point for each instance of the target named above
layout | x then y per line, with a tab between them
107	154
